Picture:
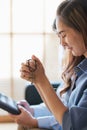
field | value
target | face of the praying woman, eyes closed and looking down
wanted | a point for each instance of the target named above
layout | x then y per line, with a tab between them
71	39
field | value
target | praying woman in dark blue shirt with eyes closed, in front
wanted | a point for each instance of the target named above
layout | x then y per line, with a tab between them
71	23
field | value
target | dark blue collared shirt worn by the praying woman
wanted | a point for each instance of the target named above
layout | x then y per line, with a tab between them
76	116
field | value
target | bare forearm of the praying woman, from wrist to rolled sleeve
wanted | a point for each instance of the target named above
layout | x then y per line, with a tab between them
52	100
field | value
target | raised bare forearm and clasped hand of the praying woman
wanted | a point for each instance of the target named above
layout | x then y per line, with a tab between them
45	89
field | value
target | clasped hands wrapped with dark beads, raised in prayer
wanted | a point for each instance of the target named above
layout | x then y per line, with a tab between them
32	70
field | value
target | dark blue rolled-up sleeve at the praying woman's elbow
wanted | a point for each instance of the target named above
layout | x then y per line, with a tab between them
76	118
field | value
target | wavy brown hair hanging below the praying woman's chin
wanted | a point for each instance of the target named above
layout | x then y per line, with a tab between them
68	71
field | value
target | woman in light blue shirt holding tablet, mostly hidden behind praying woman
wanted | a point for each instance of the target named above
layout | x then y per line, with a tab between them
40	112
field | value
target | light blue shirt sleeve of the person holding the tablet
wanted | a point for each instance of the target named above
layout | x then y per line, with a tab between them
45	117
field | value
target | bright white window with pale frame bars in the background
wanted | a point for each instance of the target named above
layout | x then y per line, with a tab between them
25	29
